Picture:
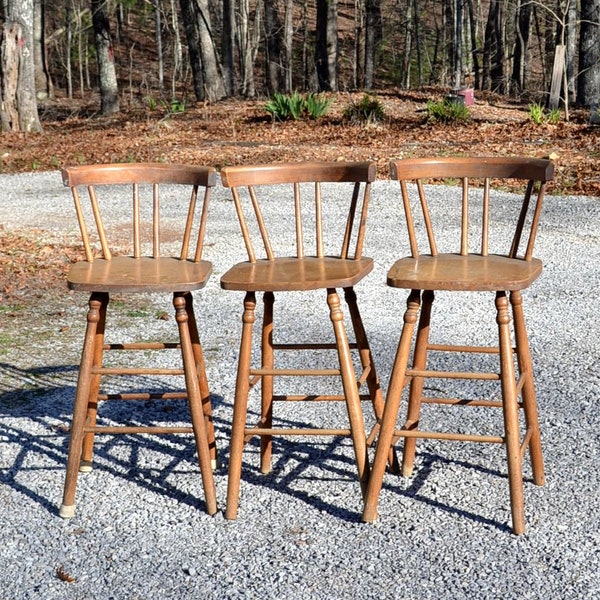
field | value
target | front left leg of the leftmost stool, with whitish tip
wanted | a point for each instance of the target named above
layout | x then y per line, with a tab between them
80	407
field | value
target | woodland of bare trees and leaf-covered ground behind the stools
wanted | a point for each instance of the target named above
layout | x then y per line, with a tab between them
187	80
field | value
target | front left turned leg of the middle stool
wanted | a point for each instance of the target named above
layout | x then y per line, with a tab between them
240	408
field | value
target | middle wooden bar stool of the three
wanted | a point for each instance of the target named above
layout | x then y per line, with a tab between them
285	266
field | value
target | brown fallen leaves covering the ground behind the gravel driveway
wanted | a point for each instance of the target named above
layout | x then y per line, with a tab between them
236	131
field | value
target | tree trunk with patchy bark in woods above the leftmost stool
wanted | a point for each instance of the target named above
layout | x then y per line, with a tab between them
109	90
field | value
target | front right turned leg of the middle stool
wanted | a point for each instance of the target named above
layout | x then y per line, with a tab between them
355	416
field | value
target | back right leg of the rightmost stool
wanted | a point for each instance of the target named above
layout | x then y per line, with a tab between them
529	401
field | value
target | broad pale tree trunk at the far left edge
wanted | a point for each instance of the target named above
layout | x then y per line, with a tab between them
18	110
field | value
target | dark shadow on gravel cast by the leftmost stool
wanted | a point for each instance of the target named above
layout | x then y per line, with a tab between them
35	415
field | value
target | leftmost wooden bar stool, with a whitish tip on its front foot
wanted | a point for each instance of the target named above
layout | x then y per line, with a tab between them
146	266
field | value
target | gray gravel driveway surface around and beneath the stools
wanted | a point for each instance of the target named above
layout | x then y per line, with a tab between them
140	530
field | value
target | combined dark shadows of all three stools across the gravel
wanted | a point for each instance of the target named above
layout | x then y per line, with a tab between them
35	414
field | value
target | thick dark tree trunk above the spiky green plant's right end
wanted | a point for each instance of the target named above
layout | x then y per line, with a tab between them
327	45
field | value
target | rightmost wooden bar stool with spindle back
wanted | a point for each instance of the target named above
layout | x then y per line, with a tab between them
502	263
